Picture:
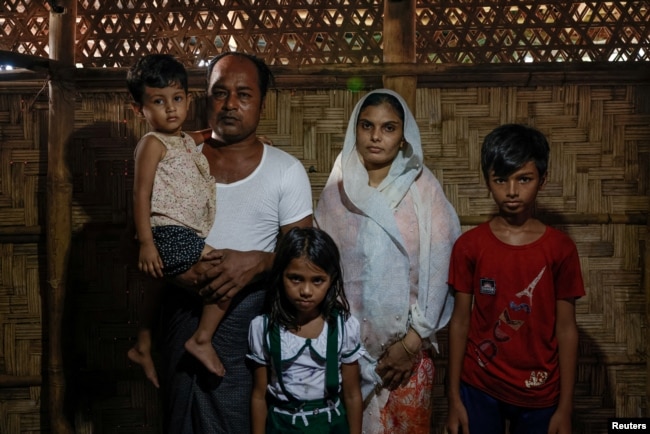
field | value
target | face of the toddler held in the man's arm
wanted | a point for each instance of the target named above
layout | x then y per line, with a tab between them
165	109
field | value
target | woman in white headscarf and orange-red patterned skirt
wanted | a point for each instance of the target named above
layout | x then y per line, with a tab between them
395	229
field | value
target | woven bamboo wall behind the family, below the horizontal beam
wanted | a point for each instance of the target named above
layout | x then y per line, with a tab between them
600	139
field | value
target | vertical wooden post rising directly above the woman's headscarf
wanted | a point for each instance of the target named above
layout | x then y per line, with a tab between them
399	45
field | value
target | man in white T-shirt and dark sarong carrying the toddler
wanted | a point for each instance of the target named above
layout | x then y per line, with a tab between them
261	193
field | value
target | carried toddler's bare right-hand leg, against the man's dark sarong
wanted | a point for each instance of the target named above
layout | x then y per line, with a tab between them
200	344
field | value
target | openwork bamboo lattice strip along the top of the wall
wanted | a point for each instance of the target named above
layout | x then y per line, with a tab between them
300	32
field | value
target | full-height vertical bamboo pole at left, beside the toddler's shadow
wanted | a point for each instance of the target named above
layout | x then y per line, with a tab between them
59	200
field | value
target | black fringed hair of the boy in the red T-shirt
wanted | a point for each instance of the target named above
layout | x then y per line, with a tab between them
510	146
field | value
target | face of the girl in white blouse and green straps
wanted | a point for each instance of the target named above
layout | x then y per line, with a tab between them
305	286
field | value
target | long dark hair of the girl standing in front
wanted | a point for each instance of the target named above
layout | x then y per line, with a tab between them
316	246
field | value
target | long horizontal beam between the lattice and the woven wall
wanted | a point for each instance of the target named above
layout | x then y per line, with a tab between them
309	77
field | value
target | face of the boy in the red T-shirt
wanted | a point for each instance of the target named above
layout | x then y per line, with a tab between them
515	194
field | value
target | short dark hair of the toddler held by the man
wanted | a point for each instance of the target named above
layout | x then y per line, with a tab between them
155	70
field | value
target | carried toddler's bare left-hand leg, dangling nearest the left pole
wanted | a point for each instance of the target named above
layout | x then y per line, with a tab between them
140	353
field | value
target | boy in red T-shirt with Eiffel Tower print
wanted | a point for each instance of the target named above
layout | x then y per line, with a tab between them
513	337
